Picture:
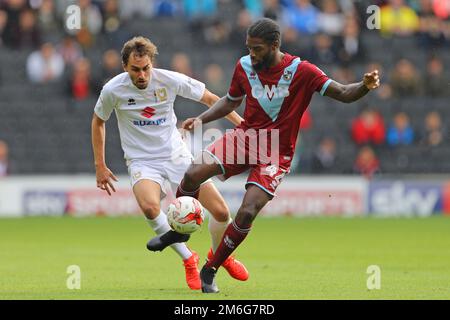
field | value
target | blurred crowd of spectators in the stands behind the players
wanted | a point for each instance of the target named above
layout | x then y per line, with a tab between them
326	32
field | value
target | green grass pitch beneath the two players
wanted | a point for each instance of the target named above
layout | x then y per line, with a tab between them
288	258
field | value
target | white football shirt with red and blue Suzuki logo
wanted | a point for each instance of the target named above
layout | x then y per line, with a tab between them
146	119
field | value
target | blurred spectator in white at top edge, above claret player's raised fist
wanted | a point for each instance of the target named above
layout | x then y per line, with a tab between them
331	20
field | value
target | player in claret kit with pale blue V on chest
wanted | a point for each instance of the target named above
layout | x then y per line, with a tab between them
278	88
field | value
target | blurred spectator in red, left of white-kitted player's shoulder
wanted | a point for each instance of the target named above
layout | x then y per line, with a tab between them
80	80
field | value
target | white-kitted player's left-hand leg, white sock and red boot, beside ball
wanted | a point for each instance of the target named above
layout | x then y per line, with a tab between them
148	195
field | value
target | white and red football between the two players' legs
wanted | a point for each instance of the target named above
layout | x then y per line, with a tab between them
185	215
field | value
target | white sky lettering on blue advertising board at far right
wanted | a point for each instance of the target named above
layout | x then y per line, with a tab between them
406	199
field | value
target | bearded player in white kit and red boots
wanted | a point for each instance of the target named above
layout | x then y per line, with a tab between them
142	98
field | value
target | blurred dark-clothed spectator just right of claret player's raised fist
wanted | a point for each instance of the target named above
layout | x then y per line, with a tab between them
405	79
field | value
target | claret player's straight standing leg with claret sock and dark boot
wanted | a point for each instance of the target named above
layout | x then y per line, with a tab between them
254	200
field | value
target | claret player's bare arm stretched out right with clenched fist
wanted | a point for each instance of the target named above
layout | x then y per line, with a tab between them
351	92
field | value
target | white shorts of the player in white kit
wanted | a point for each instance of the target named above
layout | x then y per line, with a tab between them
167	173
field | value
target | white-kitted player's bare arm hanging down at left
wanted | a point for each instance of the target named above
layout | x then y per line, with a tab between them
102	172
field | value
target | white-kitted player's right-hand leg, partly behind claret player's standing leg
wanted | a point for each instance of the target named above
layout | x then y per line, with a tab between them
219	220
